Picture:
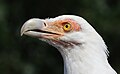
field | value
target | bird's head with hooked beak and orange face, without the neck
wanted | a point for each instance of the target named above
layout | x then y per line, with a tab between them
62	31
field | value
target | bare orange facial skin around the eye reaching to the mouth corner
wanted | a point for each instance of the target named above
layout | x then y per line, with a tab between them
57	27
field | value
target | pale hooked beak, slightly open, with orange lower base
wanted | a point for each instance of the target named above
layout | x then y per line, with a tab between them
38	28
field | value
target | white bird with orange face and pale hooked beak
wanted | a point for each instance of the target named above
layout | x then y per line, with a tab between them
82	48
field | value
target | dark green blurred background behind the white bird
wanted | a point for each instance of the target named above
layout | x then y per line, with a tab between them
26	55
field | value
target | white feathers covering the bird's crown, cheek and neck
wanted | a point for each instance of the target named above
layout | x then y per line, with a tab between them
88	58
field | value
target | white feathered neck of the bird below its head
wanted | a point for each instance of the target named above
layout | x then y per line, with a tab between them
82	60
